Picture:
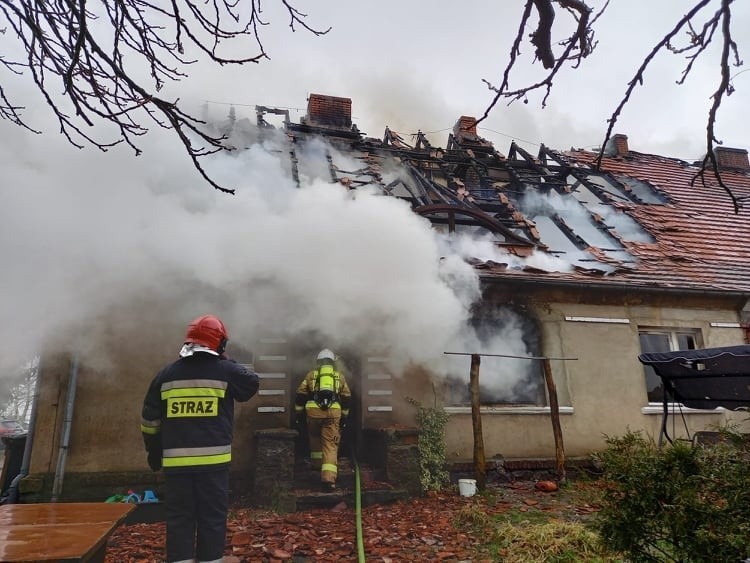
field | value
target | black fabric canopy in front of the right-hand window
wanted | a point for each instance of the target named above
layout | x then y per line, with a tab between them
705	379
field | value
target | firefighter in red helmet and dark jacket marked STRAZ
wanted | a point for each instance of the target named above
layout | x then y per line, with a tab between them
187	424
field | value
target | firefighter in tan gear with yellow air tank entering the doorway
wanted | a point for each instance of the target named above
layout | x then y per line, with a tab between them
324	397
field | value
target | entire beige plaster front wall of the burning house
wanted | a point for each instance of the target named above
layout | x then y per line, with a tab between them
601	392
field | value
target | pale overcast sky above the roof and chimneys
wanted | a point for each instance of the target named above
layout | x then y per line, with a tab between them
417	65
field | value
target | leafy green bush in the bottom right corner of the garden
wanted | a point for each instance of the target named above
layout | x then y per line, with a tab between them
676	503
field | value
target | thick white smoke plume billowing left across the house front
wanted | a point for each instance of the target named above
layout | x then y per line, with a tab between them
81	231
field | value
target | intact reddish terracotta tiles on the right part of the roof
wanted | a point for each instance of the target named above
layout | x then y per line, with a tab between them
700	242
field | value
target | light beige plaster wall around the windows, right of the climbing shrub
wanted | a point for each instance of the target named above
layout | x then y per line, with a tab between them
602	392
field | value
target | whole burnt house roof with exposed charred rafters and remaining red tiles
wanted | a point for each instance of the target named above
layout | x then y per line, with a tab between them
640	220
